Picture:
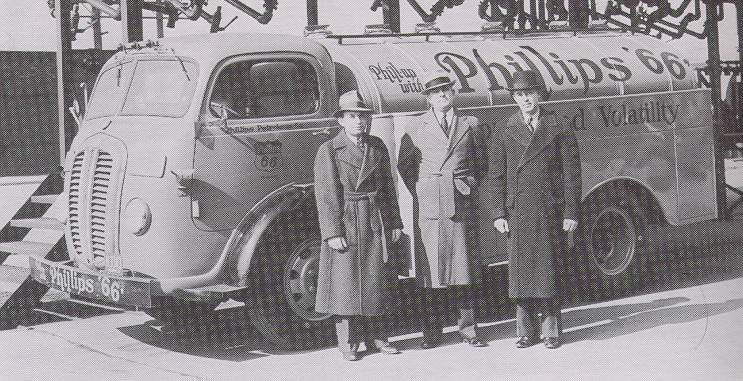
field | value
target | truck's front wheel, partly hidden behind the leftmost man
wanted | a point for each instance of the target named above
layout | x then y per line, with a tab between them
283	284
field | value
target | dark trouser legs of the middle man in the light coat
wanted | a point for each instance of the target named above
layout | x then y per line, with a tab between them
434	307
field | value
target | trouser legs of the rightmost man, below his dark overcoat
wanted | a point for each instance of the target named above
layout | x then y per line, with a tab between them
528	320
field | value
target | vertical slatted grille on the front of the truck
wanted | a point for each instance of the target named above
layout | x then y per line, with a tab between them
90	189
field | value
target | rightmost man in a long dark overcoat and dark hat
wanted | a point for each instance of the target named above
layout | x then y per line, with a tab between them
536	189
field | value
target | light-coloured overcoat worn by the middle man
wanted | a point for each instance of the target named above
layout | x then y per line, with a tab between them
440	172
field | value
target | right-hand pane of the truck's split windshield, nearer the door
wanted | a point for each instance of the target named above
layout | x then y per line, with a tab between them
161	88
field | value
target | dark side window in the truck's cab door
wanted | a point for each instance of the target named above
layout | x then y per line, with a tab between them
265	89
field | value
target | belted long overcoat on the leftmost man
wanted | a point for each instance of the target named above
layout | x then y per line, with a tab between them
355	198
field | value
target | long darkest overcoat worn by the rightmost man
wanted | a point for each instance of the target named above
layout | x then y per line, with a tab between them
536	184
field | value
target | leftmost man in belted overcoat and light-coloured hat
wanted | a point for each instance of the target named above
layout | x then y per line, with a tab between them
358	212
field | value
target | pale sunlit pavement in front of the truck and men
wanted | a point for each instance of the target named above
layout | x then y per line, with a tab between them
692	332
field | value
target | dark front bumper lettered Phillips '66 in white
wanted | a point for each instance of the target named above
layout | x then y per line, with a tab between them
98	286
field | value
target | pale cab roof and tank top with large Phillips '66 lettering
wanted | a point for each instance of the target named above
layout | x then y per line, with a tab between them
387	69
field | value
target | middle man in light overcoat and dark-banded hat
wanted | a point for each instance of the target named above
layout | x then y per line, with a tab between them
436	163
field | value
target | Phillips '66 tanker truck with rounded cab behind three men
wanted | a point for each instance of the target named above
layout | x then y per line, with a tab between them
190	180
